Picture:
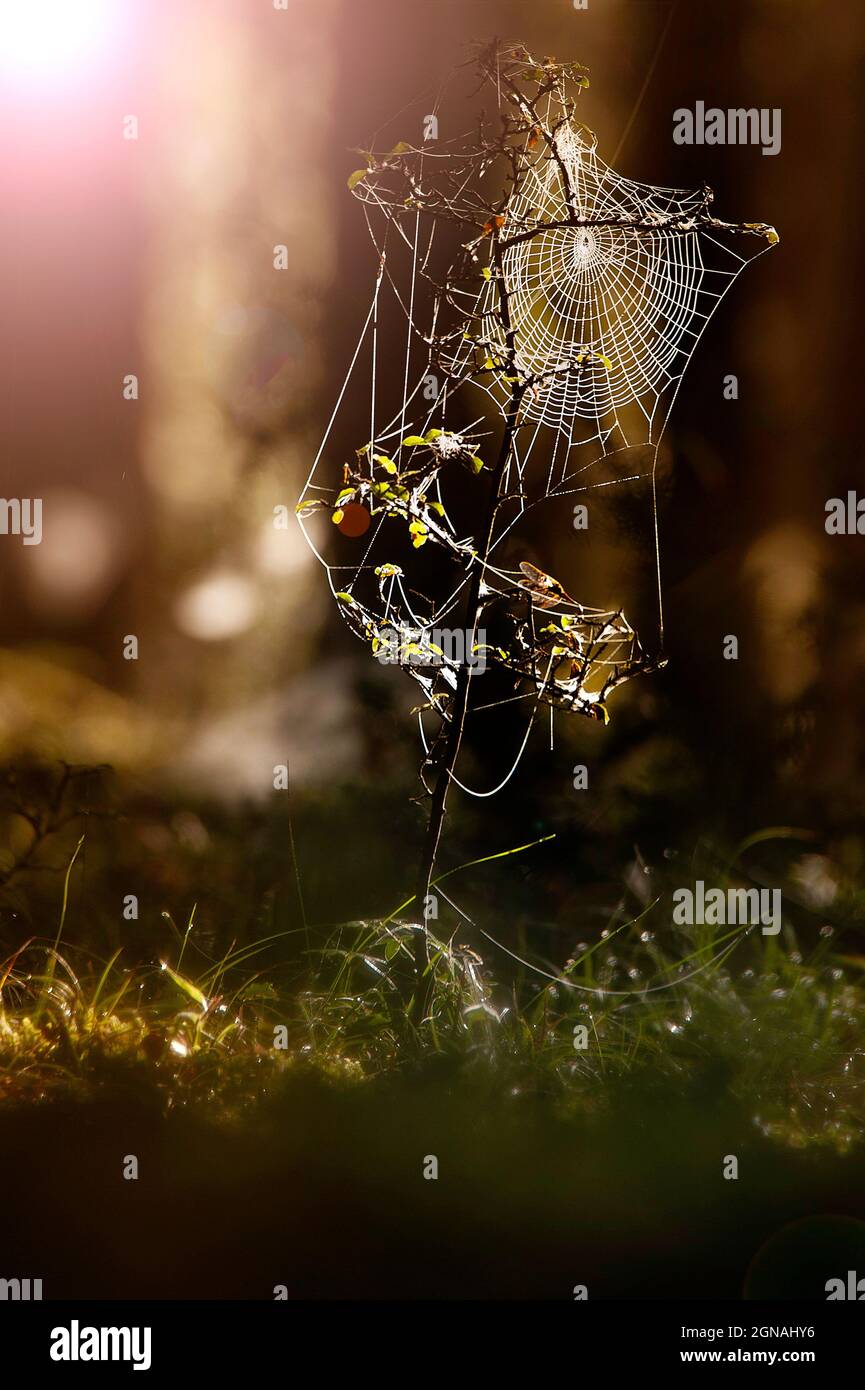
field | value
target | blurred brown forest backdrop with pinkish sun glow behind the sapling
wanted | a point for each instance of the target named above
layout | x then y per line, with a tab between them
156	256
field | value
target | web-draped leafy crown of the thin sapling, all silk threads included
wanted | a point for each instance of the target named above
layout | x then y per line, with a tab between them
593	311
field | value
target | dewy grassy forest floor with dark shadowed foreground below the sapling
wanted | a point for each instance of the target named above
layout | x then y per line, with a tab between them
672	1111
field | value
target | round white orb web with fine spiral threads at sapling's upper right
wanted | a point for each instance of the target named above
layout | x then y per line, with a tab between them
629	301
